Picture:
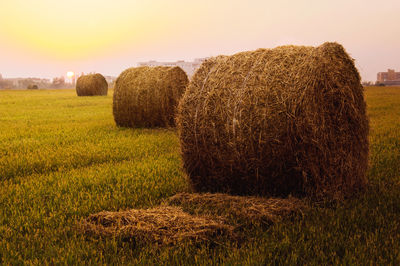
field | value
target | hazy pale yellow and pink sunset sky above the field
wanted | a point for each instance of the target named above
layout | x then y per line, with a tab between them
47	38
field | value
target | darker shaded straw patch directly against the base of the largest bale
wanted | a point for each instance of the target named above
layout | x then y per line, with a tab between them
251	210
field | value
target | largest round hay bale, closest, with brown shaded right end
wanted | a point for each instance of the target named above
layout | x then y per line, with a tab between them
289	120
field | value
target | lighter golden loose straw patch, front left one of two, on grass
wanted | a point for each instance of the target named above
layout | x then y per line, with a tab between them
162	225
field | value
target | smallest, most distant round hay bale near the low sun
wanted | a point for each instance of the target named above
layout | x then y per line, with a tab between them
91	85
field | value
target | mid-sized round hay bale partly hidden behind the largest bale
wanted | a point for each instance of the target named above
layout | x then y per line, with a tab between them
148	96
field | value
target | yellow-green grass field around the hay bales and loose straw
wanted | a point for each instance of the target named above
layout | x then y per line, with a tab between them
62	158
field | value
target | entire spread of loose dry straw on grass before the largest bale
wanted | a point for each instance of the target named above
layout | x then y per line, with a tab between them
192	217
